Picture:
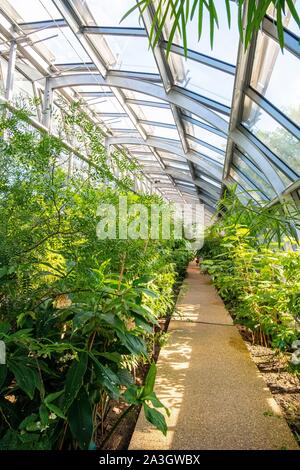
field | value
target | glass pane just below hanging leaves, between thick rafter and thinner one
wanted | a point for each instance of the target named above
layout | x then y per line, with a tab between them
205	80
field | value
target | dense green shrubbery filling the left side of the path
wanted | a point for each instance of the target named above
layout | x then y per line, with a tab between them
77	314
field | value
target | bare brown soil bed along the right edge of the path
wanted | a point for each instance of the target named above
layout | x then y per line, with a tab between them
283	382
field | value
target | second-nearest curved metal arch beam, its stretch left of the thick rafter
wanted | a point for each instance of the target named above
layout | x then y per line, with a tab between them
212	168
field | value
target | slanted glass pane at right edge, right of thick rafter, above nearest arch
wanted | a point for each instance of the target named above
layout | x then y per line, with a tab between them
272	134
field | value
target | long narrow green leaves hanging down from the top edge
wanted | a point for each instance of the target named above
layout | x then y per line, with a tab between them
174	16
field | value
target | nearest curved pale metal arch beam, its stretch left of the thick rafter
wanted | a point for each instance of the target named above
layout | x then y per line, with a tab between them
141	86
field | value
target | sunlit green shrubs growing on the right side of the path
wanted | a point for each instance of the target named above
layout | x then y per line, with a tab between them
258	280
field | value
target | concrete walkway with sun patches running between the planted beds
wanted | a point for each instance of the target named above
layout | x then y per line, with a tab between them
207	379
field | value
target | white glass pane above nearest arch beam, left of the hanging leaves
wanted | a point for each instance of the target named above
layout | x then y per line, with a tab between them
132	54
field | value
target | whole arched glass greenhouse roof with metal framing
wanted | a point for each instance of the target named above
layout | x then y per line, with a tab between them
170	113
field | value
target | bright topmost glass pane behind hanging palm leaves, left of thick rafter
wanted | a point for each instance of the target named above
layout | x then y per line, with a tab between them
226	40
